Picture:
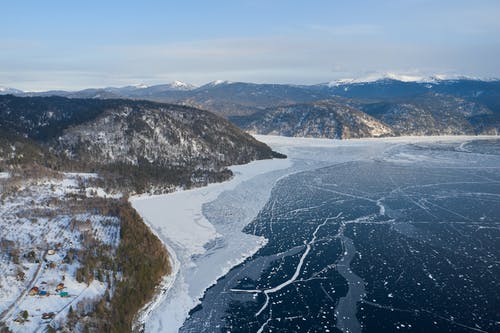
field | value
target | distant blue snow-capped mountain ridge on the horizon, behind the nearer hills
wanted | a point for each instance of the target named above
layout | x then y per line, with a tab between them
236	98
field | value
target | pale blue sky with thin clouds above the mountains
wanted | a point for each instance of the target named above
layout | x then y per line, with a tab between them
55	44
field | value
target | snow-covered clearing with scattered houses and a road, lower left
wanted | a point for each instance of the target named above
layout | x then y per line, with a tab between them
37	232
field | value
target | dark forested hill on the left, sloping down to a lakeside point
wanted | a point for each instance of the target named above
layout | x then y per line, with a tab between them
138	144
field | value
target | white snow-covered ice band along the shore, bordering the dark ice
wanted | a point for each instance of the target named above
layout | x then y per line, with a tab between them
202	227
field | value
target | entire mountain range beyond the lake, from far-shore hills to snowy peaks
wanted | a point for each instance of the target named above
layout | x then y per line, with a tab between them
387	106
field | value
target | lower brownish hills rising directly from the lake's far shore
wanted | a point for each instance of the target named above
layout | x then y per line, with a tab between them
429	114
